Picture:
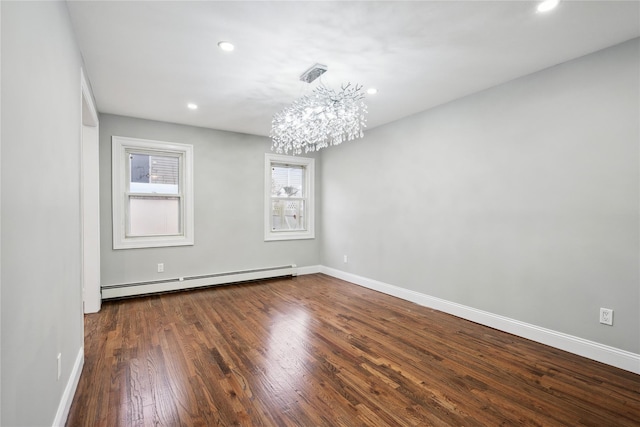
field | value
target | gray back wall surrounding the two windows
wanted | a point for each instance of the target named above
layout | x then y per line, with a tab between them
229	203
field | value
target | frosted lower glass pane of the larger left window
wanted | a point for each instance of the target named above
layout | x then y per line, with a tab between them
154	216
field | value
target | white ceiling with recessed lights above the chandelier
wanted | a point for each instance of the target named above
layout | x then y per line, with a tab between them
148	59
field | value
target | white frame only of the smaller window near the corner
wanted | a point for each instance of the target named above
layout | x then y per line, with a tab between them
309	167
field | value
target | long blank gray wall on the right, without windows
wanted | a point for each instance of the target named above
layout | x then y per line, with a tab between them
521	200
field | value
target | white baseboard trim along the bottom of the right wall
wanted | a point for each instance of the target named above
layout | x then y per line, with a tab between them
592	350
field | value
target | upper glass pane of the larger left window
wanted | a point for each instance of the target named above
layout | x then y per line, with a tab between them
154	174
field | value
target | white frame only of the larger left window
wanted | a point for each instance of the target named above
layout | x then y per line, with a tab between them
120	146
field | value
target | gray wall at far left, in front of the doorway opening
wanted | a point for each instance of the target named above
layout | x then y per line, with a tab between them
40	242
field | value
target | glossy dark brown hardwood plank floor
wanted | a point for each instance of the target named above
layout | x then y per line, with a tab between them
317	351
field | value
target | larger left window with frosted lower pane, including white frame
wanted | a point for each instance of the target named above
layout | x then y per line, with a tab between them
152	184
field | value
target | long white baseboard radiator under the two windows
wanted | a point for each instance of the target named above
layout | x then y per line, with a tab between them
182	283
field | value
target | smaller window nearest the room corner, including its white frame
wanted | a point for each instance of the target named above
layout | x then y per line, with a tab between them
289	198
